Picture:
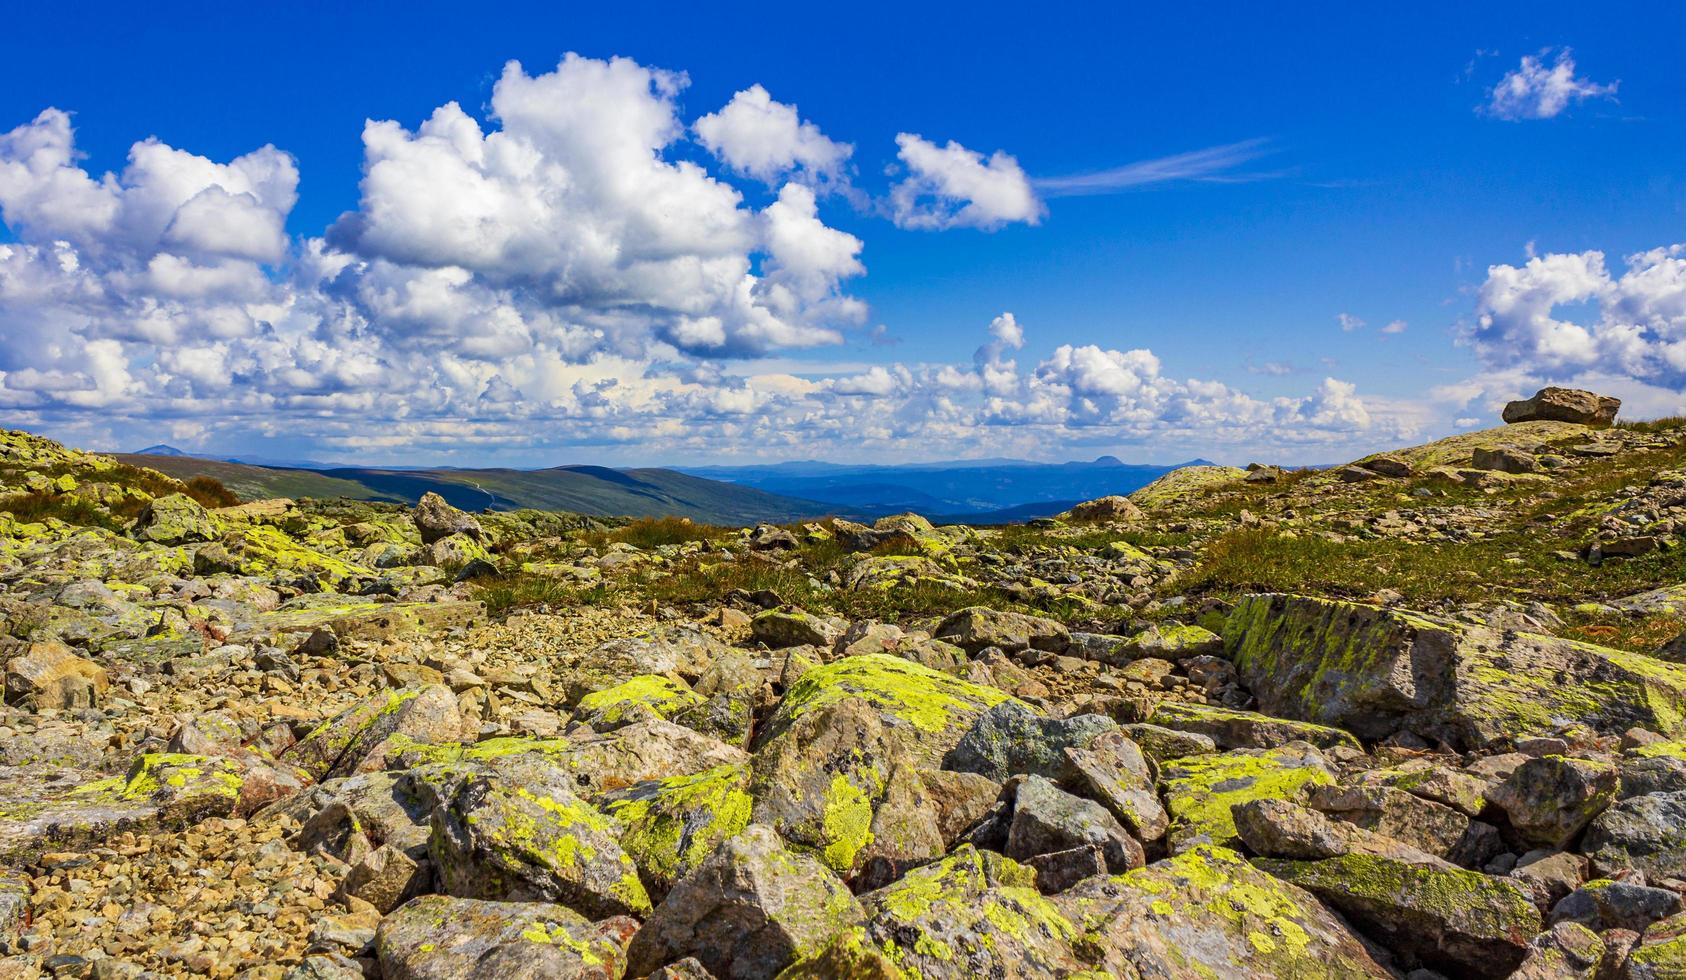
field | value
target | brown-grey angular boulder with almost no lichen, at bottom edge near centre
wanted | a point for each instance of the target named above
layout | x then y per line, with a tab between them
748	912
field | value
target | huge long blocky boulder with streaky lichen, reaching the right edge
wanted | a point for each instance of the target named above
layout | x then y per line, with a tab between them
1378	672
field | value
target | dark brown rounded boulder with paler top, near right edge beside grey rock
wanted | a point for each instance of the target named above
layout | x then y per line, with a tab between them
1550	800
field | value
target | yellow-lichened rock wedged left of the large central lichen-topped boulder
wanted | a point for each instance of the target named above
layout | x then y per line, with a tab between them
670	826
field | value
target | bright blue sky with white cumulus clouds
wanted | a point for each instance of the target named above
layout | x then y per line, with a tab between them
1367	168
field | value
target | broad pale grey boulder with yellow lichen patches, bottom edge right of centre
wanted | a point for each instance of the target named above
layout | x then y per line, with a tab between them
1210	913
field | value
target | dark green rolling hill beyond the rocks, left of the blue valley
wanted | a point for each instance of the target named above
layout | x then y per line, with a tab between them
588	490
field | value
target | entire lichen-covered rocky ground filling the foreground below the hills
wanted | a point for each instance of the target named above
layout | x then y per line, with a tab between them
1420	716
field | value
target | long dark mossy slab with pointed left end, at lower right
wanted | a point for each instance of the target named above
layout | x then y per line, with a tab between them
1452	920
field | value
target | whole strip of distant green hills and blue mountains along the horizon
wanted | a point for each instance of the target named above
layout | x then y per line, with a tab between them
975	492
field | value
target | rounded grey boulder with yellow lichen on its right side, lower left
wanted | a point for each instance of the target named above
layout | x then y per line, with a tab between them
524	836
